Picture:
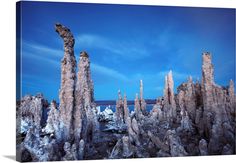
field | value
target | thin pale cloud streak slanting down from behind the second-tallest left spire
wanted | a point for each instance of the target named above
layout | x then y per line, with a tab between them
108	71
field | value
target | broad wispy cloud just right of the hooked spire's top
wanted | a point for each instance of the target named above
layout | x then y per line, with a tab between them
128	49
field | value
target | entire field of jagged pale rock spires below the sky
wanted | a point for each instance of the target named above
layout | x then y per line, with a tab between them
197	120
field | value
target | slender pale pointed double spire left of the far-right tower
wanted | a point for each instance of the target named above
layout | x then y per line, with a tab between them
169	99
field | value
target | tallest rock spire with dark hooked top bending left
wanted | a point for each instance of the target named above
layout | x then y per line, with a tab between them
68	77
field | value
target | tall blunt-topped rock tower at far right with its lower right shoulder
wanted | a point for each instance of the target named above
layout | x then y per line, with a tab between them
216	116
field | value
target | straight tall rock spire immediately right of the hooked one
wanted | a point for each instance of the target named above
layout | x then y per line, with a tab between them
85	119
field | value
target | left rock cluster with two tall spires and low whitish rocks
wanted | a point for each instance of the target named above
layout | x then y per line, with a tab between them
73	124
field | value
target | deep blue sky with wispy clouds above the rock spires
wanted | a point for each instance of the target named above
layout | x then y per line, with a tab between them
125	43
